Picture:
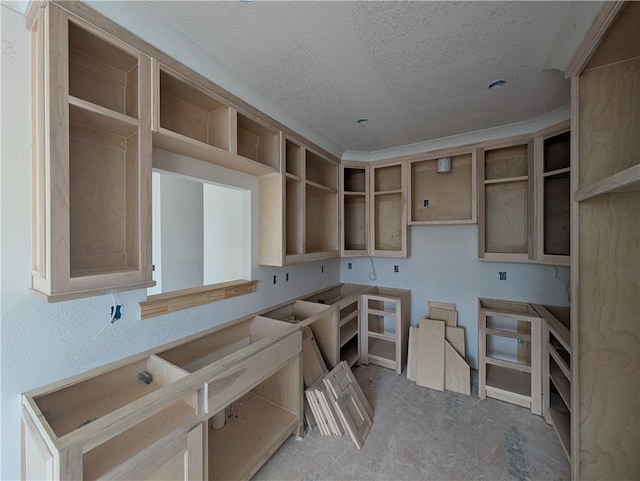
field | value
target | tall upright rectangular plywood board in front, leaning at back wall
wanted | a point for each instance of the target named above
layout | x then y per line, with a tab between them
430	360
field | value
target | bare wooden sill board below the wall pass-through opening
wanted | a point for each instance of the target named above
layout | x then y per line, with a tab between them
160	304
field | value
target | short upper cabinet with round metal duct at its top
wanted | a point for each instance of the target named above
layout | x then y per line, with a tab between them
446	195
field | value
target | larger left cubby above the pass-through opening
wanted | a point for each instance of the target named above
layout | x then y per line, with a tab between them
190	111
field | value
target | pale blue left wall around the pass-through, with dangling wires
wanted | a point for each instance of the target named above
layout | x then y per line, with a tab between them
41	343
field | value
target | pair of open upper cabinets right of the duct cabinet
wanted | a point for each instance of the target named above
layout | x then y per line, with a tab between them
524	199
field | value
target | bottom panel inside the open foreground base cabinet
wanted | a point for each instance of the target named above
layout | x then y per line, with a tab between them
243	445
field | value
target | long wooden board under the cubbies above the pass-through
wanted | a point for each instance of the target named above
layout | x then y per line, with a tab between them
180	144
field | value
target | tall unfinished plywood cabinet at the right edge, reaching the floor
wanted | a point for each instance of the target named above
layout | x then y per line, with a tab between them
605	332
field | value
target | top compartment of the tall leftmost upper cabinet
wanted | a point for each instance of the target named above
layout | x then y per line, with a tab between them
102	73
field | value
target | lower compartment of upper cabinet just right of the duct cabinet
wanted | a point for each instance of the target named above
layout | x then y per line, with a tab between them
506	217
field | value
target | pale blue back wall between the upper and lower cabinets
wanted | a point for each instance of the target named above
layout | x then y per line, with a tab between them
444	266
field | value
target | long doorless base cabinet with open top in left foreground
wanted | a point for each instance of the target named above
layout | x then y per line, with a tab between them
150	417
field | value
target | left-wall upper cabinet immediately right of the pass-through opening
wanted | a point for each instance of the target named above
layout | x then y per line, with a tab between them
299	208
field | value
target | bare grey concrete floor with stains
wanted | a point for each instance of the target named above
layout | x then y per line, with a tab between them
421	434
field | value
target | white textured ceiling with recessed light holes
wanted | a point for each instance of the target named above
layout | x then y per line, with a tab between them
417	70
